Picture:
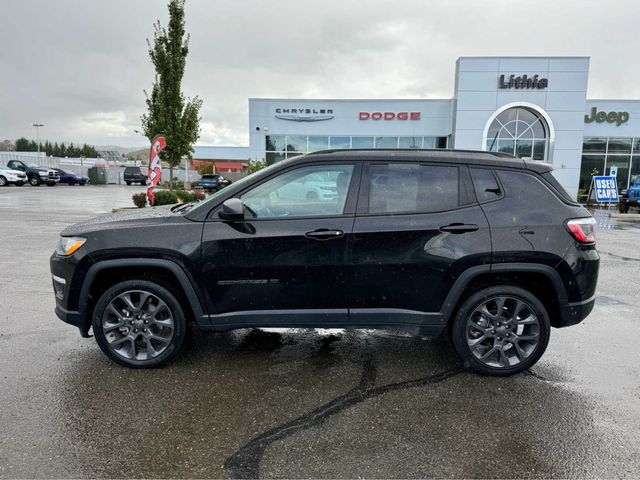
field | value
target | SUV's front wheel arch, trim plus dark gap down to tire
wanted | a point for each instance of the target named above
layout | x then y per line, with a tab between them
167	273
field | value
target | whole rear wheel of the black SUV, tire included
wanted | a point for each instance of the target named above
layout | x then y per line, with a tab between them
475	334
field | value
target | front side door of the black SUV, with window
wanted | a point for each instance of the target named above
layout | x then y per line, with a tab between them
287	261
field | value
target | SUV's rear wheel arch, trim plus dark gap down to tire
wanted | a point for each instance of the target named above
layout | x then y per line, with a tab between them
541	280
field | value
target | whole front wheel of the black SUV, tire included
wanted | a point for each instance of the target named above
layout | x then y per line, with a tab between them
123	328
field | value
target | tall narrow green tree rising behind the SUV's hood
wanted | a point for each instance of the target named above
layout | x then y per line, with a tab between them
169	113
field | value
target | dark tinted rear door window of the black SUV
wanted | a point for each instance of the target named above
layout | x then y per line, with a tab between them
406	188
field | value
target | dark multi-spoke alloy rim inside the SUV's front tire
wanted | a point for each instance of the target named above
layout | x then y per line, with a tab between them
138	325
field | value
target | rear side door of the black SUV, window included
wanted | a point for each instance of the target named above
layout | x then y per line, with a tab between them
418	227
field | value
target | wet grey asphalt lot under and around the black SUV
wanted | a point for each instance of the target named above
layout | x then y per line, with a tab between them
305	403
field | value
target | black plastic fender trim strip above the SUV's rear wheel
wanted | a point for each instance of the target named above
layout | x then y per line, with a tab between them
467	277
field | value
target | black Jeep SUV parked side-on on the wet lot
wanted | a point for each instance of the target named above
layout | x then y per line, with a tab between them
484	245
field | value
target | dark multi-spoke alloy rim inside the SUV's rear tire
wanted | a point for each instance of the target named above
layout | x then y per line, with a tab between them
503	331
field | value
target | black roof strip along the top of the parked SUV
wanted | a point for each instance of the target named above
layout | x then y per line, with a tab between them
465	157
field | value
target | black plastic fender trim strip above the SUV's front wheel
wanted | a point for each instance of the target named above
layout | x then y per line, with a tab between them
194	300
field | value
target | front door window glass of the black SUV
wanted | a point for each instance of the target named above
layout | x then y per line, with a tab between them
307	191
